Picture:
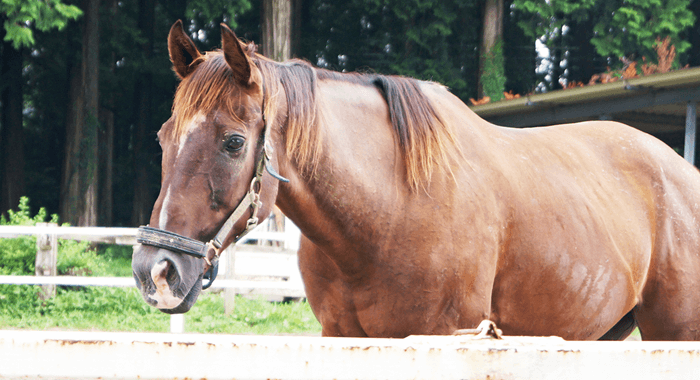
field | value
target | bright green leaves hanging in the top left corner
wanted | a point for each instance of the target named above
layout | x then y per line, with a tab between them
44	15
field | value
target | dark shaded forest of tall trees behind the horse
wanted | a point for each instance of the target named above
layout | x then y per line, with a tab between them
86	84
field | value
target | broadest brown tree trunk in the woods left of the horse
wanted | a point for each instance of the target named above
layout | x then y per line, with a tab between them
79	191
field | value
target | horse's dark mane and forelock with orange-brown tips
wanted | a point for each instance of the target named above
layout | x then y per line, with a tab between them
423	138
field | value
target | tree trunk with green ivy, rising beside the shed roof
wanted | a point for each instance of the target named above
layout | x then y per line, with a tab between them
492	34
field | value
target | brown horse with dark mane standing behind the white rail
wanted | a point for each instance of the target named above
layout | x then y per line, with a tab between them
418	217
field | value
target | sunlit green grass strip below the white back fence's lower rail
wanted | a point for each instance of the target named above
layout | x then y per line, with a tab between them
123	309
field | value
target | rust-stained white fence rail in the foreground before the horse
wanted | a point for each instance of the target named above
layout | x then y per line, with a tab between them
88	355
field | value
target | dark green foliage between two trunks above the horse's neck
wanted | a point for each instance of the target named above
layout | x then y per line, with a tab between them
424	39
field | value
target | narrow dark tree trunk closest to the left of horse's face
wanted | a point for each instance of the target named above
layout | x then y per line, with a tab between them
143	96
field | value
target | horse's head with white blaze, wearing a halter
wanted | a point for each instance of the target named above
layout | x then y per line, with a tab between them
214	188
